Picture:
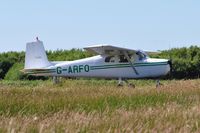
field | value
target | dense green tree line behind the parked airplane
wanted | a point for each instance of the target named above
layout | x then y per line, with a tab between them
185	61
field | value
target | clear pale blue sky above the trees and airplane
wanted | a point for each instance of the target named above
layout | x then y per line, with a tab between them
64	24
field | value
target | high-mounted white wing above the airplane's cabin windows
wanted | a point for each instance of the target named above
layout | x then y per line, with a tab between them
109	50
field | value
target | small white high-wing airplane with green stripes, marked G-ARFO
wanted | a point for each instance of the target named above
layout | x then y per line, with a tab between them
110	62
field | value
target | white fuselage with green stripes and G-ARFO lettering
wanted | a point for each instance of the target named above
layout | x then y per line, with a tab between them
97	67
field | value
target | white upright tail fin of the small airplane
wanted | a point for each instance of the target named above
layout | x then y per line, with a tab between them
36	57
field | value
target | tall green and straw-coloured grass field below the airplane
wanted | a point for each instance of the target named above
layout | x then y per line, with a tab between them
98	105
